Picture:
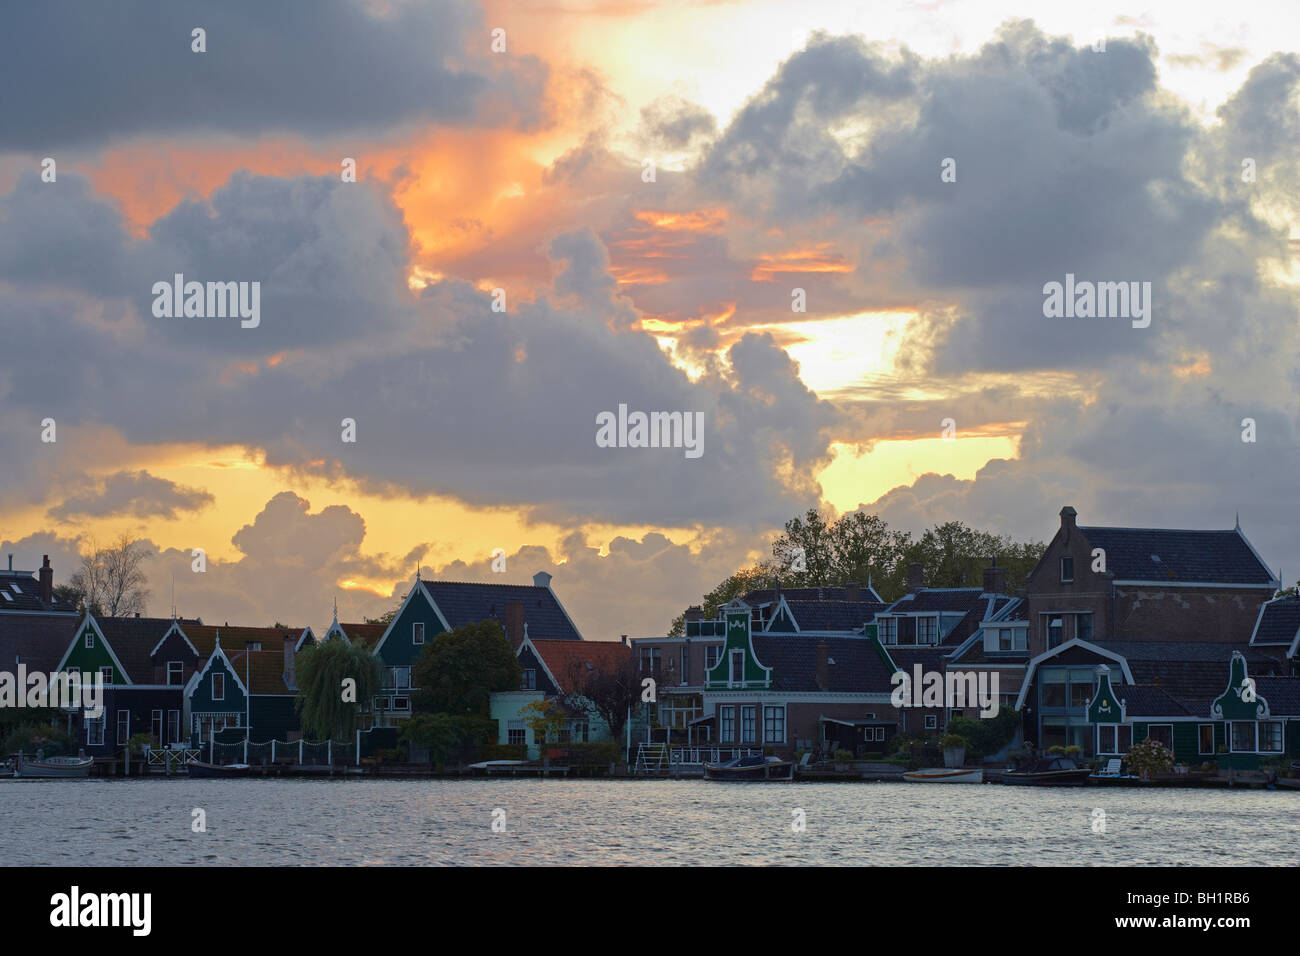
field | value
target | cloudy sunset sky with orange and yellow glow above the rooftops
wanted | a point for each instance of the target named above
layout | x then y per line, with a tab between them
651	191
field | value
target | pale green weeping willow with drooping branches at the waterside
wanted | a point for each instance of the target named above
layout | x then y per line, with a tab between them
326	707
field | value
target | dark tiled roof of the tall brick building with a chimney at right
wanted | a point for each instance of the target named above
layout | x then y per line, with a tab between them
1202	557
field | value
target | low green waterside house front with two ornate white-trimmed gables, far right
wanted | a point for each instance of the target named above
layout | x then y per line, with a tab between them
1253	721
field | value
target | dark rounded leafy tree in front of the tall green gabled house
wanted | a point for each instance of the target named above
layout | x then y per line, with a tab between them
458	672
